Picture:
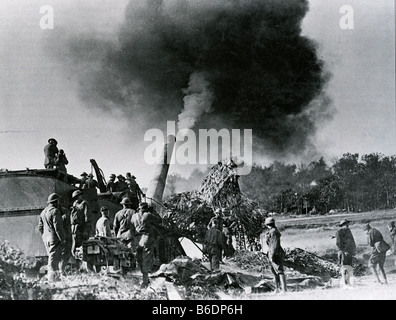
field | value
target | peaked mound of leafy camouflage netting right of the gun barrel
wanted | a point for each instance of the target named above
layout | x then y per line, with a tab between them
192	211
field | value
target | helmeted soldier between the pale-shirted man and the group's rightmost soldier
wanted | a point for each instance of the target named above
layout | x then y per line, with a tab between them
123	227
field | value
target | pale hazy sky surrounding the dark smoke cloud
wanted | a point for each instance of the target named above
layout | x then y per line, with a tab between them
39	98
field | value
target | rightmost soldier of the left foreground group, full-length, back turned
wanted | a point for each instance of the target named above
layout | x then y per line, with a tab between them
144	223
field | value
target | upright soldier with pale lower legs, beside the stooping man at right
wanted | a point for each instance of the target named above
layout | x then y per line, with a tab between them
346	250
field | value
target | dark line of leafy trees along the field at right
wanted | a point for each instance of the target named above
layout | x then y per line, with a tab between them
351	184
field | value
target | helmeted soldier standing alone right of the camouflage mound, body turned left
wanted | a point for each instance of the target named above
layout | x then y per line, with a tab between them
275	253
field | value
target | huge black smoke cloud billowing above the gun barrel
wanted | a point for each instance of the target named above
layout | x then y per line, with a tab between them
261	72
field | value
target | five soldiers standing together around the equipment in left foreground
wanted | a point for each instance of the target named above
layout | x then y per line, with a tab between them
63	231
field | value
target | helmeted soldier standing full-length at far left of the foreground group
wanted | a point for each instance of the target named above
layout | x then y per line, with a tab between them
53	235
